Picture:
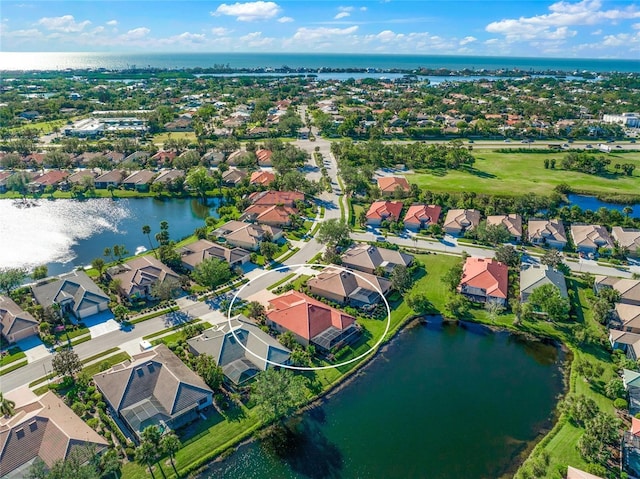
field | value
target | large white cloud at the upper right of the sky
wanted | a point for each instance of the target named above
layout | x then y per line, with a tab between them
556	24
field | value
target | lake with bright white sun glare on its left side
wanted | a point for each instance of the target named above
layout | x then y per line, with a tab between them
65	234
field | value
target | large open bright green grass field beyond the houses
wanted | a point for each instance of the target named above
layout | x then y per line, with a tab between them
523	173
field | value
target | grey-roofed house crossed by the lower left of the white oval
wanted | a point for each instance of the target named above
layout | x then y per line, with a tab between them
240	348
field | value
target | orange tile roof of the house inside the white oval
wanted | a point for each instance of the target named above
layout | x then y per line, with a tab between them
305	316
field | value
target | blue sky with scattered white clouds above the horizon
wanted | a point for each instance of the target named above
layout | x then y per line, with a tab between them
583	29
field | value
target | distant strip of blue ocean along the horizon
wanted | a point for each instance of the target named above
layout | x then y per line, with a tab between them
119	61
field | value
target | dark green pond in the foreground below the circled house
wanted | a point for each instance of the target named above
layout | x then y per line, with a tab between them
442	402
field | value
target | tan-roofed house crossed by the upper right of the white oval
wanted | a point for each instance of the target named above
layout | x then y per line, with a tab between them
344	287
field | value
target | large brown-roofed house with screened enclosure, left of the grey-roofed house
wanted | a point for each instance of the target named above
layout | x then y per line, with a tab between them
154	388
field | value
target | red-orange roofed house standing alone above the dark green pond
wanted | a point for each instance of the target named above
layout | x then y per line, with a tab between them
484	280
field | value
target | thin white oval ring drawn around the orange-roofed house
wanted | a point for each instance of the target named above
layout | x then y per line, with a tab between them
312	368
